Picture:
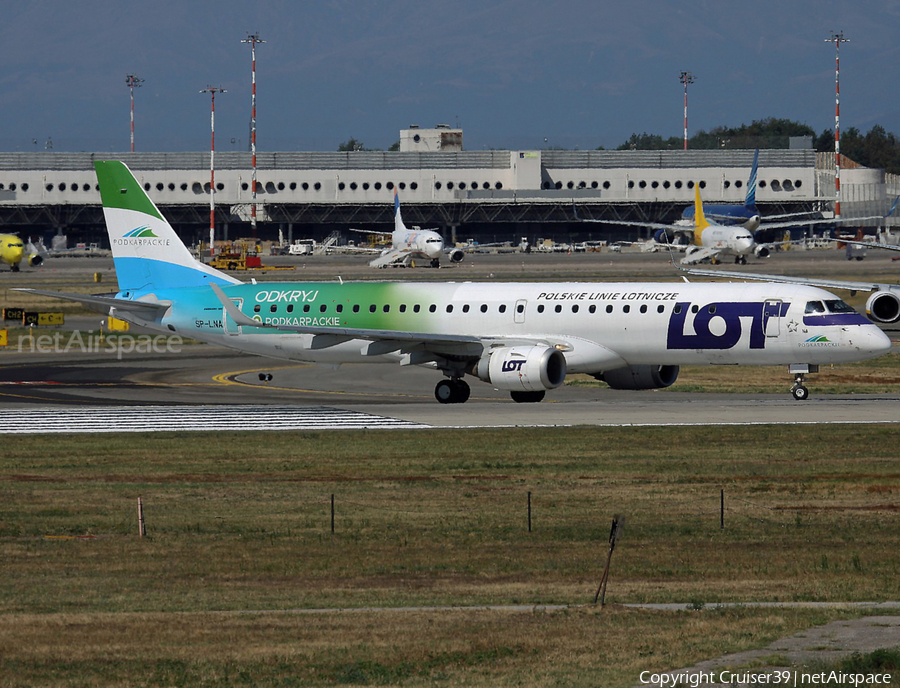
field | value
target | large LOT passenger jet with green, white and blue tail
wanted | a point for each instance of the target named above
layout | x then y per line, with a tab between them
519	337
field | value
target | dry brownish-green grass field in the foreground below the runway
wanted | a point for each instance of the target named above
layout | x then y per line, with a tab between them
240	547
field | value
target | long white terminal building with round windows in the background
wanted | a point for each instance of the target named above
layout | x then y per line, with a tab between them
490	195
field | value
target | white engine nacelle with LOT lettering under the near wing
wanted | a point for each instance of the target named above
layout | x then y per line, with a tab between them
523	368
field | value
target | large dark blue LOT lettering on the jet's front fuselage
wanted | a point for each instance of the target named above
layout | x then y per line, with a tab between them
734	316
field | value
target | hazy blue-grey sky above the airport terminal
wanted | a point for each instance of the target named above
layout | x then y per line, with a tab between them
583	73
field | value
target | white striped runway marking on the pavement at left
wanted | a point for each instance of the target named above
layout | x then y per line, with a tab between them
105	419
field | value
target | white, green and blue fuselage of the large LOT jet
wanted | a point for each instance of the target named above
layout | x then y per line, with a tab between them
597	326
